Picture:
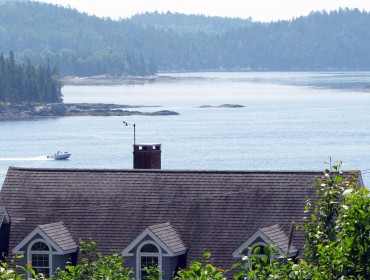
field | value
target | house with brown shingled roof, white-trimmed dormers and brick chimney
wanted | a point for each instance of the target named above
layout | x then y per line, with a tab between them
168	217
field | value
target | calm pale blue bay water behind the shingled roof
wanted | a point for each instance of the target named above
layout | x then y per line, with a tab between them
291	121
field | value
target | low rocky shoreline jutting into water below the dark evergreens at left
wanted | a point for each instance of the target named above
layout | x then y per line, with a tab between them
75	109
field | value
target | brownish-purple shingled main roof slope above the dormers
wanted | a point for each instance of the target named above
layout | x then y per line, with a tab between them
212	211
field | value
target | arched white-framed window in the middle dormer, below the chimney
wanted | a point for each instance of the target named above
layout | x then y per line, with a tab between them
149	256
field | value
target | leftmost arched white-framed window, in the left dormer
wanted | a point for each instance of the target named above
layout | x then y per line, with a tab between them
39	255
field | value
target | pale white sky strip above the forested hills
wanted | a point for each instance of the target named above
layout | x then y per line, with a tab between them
258	10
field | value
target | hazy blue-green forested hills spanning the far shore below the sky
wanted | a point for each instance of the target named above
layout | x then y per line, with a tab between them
79	44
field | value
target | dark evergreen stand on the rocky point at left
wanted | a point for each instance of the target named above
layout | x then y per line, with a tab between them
28	84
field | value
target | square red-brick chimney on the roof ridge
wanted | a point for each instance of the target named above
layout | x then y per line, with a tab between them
147	156
